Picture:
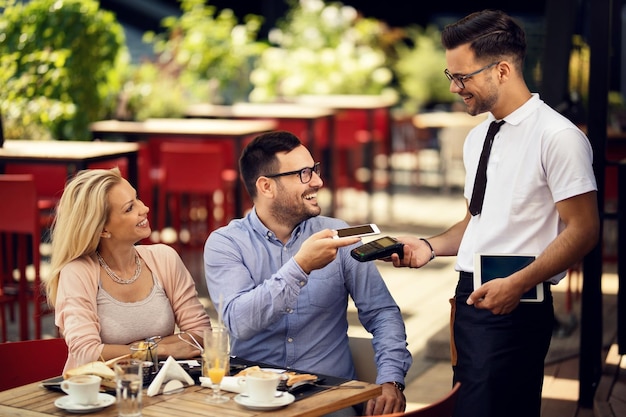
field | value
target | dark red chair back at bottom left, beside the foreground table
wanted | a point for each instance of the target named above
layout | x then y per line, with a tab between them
31	361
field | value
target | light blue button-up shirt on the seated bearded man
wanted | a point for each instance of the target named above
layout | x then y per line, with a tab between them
278	314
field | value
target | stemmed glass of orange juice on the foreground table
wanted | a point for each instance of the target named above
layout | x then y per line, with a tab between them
216	360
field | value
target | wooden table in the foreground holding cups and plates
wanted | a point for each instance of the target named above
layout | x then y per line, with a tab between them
34	401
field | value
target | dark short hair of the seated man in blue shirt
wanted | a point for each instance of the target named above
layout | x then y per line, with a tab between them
259	156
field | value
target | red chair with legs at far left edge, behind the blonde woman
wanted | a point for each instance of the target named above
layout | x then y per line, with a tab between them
19	223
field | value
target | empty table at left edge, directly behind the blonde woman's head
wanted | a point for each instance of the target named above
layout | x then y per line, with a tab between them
76	155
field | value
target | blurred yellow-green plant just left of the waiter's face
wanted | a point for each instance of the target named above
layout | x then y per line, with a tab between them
419	69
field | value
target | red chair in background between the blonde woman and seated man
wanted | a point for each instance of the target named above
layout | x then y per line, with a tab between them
195	188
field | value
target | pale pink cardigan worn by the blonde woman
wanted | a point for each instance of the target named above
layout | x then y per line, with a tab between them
76	309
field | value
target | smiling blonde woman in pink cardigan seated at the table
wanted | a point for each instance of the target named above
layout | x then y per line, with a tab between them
109	292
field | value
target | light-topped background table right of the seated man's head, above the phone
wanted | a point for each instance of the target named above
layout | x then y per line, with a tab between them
370	104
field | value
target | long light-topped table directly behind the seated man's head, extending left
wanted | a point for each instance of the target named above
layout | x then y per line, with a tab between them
235	131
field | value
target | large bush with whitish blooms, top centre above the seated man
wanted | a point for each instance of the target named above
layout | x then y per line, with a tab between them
323	48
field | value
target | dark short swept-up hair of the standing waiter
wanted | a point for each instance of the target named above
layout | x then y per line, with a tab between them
492	35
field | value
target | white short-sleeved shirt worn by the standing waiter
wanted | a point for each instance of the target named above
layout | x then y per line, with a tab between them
538	158
